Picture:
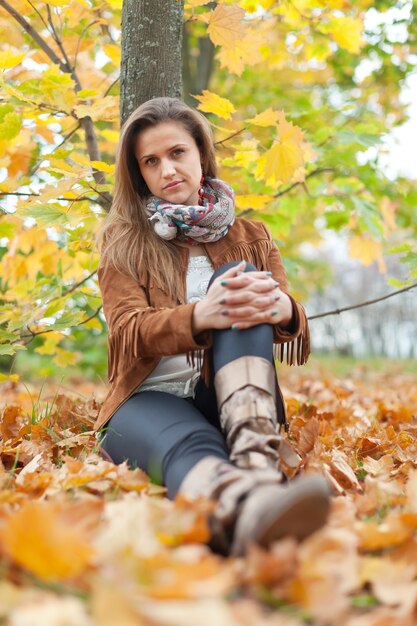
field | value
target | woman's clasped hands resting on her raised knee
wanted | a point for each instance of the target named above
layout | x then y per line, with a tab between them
240	300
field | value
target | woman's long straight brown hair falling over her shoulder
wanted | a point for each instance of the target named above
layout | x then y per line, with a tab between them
131	244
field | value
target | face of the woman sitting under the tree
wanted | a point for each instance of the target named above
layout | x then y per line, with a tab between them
170	162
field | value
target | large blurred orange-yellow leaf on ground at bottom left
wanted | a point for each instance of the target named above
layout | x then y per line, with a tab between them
38	538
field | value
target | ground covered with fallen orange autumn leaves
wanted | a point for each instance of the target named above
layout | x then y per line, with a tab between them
86	543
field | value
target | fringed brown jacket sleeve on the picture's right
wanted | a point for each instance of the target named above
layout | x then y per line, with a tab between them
293	341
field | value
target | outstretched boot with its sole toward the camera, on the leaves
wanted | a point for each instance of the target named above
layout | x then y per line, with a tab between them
252	507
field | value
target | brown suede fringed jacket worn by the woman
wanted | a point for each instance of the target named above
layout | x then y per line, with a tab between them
145	324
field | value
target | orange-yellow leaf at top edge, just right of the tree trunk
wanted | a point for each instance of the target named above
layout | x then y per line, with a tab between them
225	25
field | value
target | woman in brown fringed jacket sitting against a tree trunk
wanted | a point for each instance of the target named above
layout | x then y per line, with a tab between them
195	299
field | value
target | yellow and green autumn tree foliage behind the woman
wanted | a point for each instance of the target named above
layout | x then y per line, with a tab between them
300	96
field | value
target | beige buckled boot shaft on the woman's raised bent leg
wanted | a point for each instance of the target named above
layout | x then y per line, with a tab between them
245	390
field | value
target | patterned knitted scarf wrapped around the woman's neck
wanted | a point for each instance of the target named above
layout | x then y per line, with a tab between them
203	223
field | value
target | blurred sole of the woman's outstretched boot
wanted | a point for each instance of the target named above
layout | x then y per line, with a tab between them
275	511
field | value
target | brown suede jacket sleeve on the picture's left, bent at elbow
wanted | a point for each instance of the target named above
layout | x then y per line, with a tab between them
139	330
